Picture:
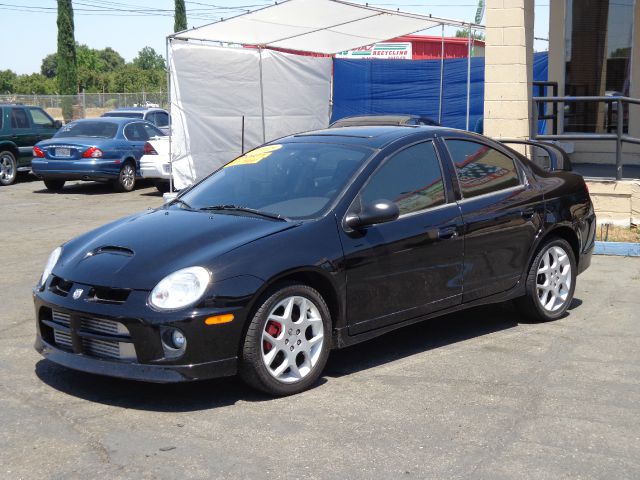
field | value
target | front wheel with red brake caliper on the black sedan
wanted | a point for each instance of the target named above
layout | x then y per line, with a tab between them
287	343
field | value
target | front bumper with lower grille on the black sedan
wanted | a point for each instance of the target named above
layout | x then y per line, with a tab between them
84	341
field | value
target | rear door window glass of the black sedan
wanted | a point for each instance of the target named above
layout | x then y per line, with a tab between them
481	169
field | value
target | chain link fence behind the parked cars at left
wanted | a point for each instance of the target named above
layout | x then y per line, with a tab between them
88	105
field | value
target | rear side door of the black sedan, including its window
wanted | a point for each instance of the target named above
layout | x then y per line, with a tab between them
502	213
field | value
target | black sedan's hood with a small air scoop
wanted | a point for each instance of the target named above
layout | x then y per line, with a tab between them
137	252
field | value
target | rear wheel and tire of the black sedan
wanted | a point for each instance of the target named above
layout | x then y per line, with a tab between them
550	283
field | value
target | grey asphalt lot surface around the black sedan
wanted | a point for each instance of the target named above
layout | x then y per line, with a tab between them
476	395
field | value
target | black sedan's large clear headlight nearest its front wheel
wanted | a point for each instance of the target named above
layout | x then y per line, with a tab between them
180	289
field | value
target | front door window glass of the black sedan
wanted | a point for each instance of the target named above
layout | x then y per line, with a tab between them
411	178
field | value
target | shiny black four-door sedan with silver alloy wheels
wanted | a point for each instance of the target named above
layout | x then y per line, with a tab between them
316	241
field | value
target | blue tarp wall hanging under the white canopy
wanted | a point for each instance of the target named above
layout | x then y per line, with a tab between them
363	87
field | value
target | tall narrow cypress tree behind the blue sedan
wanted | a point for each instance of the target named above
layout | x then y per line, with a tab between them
67	74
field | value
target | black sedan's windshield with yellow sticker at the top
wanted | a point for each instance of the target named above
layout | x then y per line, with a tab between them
292	180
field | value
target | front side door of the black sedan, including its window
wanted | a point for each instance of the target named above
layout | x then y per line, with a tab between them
413	265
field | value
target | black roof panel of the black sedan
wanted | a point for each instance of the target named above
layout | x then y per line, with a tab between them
373	136
